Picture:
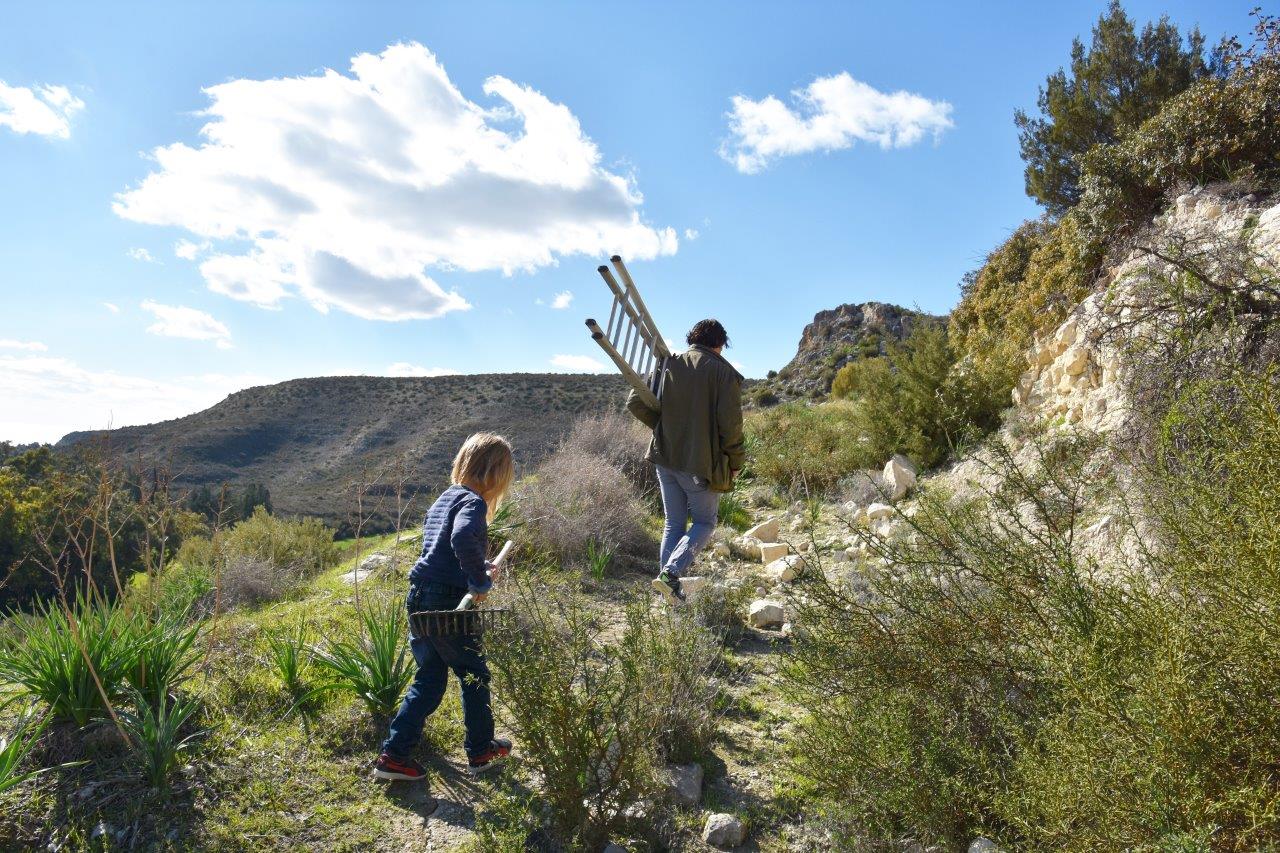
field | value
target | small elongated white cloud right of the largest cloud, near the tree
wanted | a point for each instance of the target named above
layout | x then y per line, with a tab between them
831	113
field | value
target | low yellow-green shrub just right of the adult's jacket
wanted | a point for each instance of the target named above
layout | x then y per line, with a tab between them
799	449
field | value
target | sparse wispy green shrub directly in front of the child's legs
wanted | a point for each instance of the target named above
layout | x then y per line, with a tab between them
598	717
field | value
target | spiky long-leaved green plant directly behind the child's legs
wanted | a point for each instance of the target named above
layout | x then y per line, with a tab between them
374	664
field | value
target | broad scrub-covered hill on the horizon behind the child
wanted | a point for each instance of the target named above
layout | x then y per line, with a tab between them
312	441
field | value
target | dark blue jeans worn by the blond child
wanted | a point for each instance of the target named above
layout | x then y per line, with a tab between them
436	656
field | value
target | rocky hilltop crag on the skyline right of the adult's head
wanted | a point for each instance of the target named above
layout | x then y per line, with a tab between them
835	339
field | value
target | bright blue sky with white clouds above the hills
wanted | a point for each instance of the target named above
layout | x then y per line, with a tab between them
474	170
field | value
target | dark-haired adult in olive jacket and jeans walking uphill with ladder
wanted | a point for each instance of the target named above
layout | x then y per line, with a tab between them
697	448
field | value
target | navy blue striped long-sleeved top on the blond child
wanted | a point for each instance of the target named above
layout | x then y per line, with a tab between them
455	541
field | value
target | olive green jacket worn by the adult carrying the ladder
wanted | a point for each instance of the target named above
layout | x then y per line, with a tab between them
700	430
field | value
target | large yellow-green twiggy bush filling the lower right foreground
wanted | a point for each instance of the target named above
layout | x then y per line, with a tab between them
998	679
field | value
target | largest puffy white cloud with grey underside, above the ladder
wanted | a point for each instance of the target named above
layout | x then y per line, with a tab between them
351	191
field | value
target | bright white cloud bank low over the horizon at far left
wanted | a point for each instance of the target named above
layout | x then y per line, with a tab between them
52	398
